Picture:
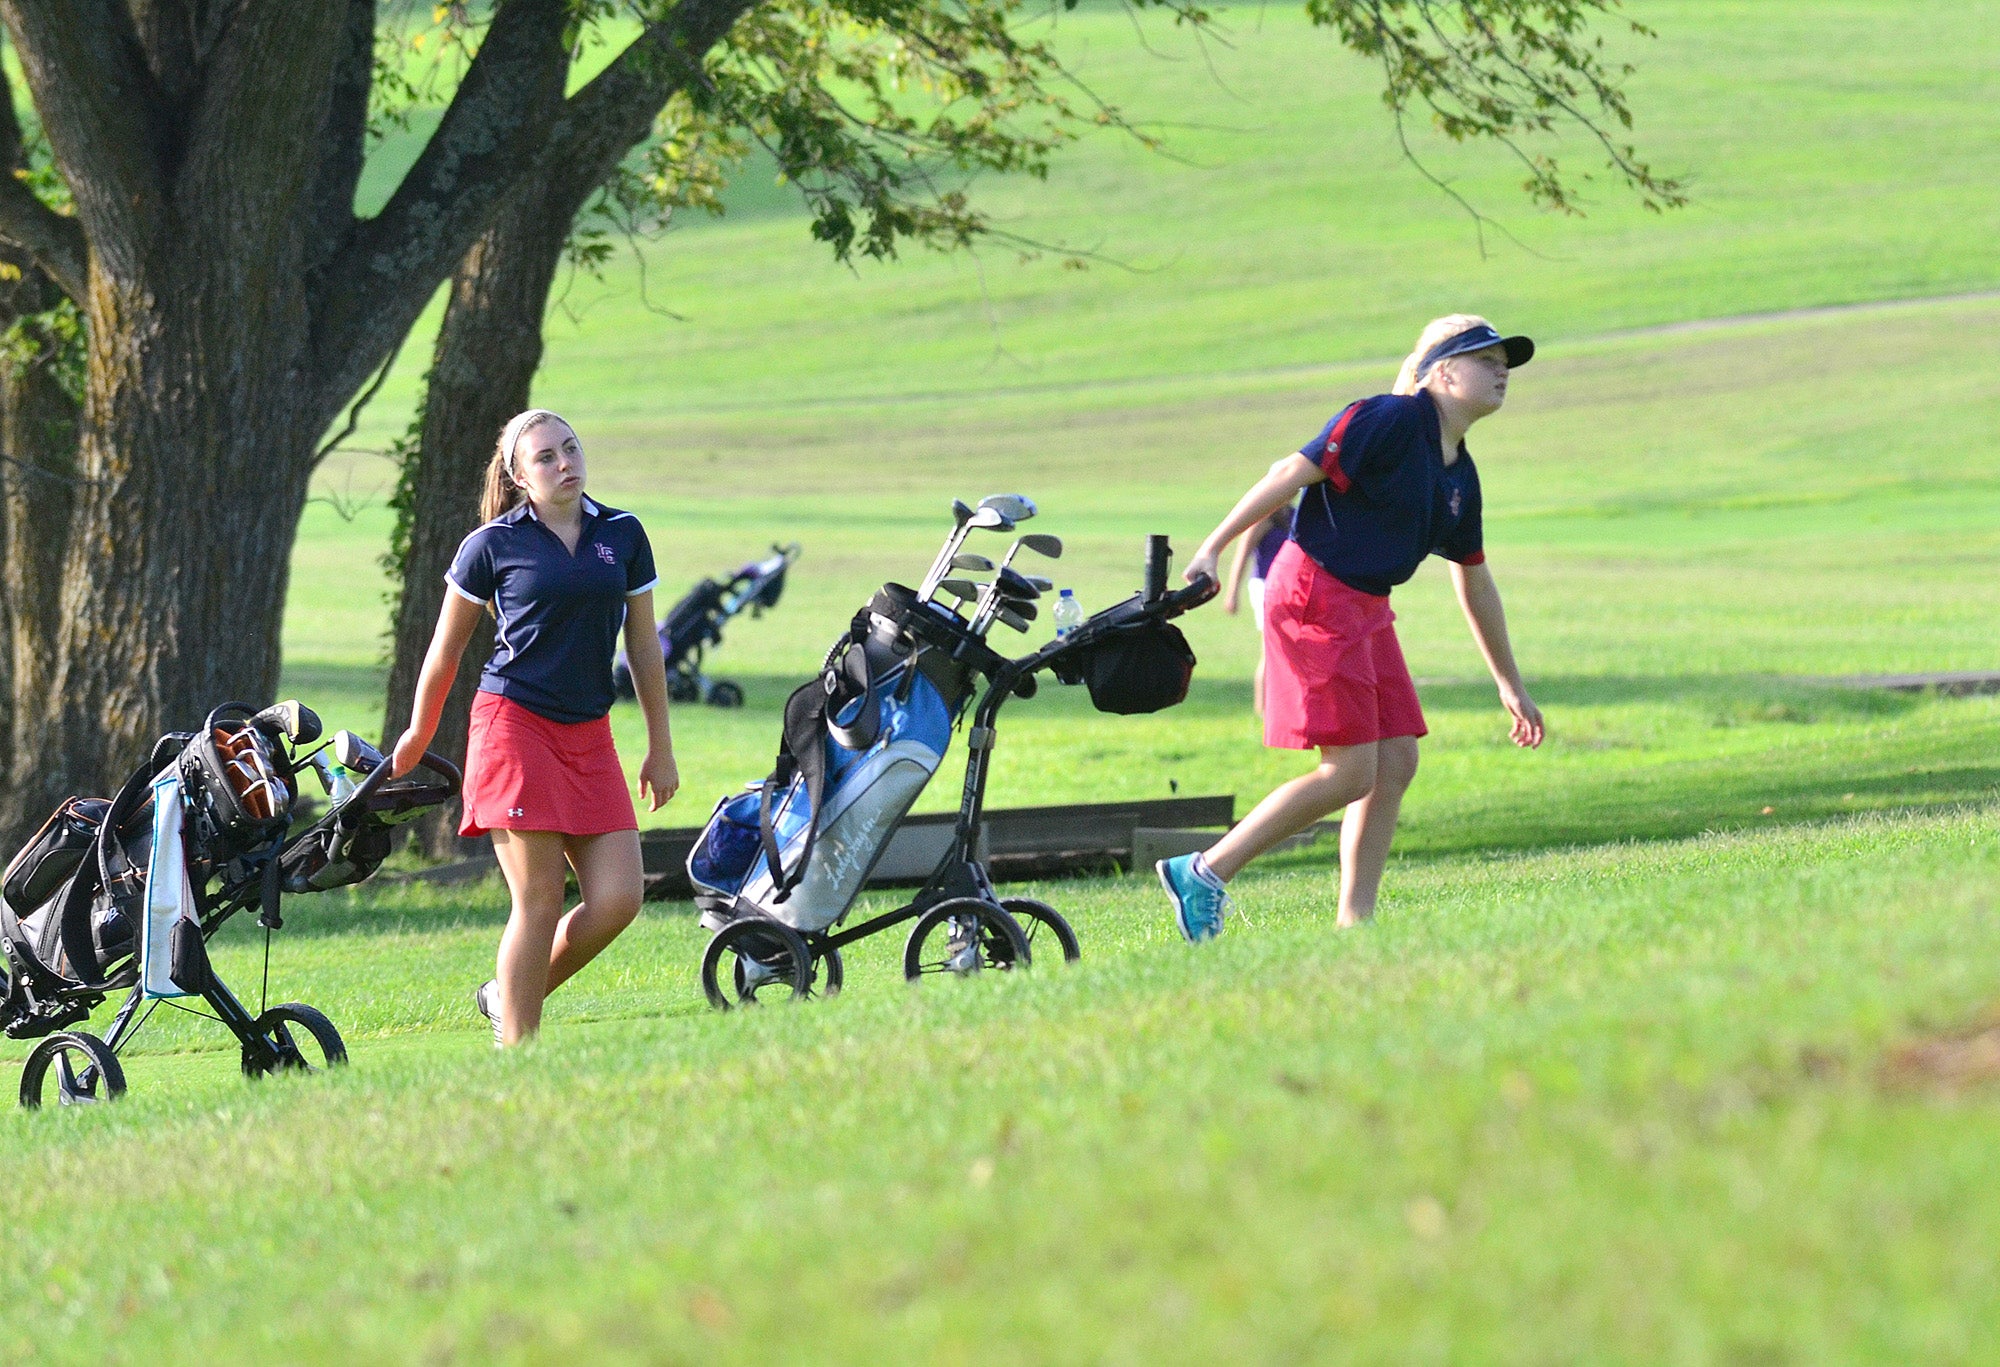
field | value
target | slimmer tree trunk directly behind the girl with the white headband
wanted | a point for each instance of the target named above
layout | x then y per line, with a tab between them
487	353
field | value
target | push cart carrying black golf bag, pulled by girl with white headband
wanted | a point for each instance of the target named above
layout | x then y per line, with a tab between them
125	894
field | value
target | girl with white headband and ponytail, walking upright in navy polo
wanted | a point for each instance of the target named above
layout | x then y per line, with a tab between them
563	575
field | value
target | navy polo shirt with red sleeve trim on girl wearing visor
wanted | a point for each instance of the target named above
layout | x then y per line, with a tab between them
1389	499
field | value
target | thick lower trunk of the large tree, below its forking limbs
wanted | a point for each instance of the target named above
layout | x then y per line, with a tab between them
179	551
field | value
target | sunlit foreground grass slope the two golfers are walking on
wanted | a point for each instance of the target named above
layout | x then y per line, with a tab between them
1613	1104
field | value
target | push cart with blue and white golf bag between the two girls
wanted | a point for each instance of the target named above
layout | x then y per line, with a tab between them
781	864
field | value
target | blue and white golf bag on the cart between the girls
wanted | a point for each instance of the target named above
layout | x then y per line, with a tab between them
859	746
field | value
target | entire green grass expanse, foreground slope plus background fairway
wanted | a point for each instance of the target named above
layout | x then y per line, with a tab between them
1619	1072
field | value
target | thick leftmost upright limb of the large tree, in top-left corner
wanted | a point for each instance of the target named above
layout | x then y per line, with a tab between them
103	115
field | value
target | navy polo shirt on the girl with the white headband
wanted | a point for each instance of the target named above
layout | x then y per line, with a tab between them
557	613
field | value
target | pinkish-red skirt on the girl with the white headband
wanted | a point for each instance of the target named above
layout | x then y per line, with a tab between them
531	774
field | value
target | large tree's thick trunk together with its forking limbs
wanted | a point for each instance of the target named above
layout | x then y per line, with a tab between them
235	305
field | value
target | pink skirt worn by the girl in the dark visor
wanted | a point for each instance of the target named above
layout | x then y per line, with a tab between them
1333	667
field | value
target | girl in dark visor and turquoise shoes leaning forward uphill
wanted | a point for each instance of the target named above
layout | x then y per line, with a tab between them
1387	483
